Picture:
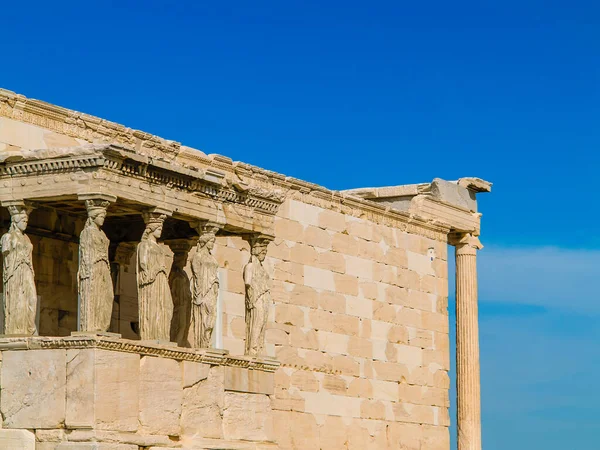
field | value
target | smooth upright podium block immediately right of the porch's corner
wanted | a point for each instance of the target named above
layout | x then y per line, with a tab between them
117	390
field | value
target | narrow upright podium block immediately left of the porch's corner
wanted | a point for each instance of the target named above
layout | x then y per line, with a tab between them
80	388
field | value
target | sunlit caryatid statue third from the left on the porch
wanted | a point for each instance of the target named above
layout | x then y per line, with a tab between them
154	293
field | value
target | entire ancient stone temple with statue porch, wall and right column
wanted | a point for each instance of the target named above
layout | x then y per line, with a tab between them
156	297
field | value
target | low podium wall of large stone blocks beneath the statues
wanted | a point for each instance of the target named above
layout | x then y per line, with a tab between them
102	393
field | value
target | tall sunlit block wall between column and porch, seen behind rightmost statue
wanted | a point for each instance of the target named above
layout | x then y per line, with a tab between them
360	326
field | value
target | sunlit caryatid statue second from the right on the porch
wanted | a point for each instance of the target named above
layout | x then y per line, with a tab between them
205	291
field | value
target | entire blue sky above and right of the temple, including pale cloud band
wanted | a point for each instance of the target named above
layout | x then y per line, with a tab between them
353	94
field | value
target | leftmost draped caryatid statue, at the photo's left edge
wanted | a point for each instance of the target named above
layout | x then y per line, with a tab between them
20	296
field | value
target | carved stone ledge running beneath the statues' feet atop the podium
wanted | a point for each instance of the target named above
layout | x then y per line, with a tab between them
206	356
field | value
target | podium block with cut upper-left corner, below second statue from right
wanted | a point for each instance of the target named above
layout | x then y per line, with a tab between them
203	406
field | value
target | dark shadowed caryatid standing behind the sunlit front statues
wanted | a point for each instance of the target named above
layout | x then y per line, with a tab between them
181	292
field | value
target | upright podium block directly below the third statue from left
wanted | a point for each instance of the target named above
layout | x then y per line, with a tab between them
161	395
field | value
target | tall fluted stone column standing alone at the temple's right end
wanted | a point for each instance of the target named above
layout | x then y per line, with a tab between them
467	343
